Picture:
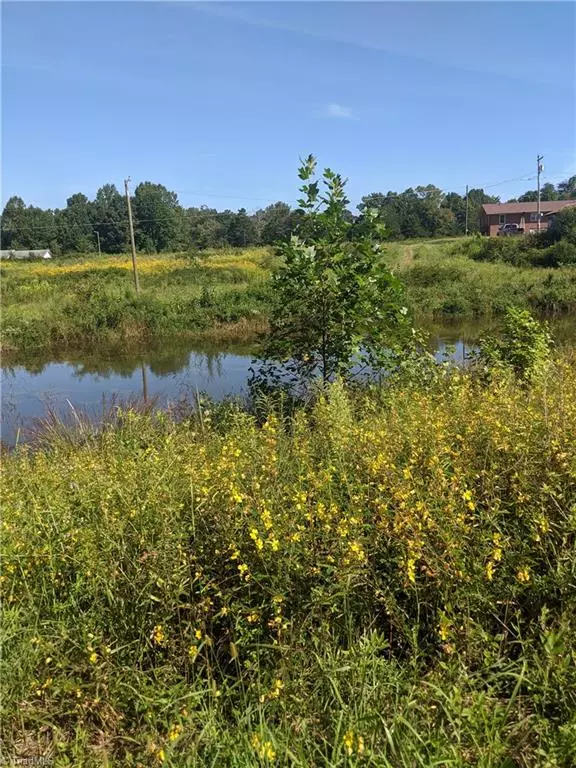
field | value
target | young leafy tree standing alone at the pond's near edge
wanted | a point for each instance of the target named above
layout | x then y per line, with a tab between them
335	301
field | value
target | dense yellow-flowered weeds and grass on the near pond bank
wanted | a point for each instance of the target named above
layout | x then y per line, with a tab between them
386	578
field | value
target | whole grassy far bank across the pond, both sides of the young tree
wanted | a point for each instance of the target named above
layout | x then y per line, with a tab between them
226	295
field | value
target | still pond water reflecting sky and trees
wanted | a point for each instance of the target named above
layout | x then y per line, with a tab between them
165	374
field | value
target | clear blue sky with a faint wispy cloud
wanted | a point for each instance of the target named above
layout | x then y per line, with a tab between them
218	100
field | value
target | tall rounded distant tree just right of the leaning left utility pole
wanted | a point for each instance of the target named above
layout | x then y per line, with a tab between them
158	221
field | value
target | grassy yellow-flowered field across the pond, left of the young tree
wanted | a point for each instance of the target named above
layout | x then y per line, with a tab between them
84	301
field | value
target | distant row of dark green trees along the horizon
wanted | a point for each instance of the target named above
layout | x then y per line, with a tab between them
161	223
